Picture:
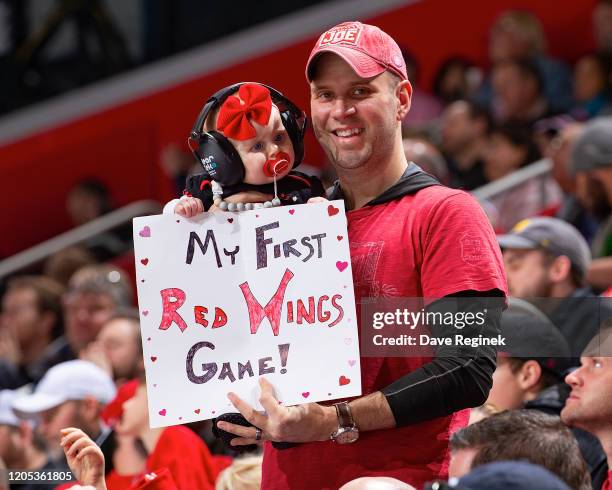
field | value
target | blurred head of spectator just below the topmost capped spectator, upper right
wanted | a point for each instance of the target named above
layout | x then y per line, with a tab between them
517	93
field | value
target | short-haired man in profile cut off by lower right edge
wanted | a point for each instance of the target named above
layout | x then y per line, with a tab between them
588	406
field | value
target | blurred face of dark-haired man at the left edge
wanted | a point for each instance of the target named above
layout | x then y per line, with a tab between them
20	315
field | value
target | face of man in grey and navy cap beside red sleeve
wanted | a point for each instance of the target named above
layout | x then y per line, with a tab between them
527	273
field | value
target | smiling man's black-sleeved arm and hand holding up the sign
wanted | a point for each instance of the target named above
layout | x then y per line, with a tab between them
456	378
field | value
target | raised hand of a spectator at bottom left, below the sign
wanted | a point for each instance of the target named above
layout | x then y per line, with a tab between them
84	457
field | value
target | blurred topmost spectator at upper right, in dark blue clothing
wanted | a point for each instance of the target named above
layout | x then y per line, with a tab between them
518	35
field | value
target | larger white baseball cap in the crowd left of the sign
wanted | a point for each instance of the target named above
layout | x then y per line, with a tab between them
72	380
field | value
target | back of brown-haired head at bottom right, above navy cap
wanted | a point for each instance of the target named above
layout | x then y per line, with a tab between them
520	435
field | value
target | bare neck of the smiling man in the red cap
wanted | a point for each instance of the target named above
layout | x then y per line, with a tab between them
361	185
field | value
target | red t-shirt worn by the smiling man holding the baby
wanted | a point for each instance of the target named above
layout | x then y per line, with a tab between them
429	244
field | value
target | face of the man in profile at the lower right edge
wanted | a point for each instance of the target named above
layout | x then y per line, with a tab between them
588	405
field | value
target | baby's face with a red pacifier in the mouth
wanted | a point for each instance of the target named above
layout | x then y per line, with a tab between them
268	153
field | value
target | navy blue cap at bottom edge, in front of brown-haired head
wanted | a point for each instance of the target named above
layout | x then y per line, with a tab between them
506	475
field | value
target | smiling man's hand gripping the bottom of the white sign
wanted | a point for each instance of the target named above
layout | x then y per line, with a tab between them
303	423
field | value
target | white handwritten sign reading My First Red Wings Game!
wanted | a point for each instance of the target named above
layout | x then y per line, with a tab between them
226	298
